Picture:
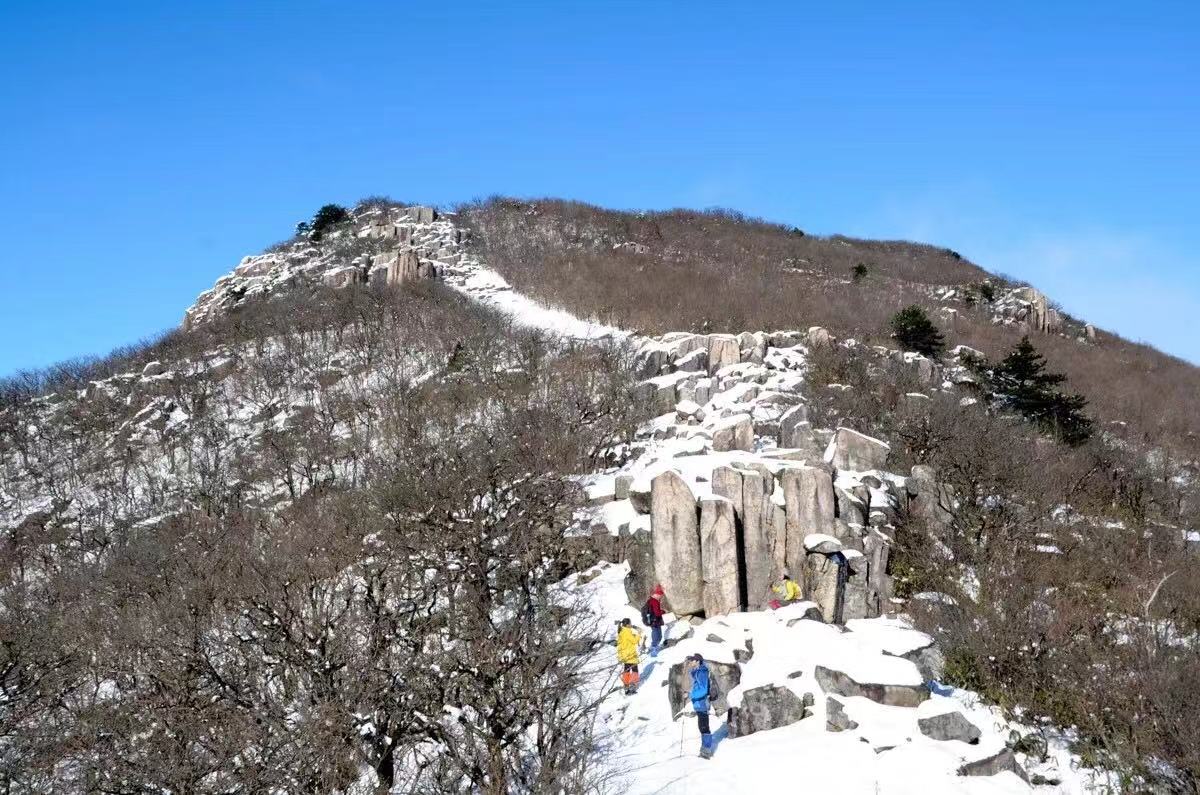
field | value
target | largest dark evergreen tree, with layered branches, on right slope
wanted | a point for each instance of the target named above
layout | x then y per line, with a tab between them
1021	382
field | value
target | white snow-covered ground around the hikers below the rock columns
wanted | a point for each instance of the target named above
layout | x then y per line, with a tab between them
653	754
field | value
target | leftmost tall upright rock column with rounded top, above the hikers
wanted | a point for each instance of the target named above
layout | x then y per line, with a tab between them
676	529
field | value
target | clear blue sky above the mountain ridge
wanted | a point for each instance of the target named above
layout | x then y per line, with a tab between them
146	147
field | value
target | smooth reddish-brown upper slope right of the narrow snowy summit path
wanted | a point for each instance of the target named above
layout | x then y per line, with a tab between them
723	272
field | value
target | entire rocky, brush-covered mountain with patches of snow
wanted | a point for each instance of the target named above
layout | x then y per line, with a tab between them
371	518
